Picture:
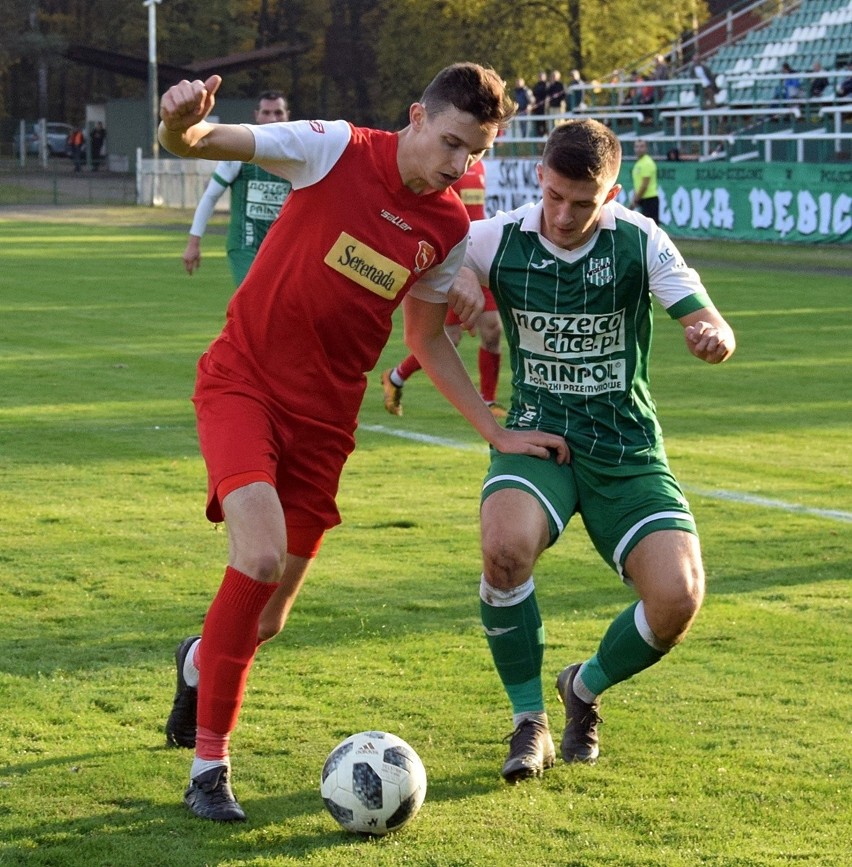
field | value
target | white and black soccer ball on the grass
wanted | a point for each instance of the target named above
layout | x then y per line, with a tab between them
373	783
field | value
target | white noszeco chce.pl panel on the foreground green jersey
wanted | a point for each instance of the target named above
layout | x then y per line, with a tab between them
569	336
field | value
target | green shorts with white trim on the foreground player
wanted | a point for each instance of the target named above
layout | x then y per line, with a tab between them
619	505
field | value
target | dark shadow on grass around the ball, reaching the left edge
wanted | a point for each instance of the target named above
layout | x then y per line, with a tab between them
133	830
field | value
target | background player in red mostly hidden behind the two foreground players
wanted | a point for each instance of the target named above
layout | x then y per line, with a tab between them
471	189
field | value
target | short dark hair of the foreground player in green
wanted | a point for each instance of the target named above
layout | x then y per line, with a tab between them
583	150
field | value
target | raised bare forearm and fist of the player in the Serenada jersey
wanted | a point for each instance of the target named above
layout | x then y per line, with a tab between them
185	131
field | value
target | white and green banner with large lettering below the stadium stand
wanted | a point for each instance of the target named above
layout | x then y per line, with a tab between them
778	202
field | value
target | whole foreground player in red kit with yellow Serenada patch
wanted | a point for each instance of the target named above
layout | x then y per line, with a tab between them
370	221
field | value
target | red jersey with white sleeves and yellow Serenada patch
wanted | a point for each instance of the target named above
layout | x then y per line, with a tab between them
314	313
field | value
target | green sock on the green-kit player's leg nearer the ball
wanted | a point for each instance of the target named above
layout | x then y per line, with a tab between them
515	636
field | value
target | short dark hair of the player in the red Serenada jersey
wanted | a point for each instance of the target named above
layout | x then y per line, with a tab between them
471	88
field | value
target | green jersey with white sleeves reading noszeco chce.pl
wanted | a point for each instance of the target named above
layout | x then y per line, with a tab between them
579	325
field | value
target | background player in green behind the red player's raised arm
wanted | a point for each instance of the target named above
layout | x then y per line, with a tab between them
256	199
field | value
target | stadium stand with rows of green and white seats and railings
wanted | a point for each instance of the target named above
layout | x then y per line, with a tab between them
748	115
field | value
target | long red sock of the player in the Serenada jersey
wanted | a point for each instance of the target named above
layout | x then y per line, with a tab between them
226	652
